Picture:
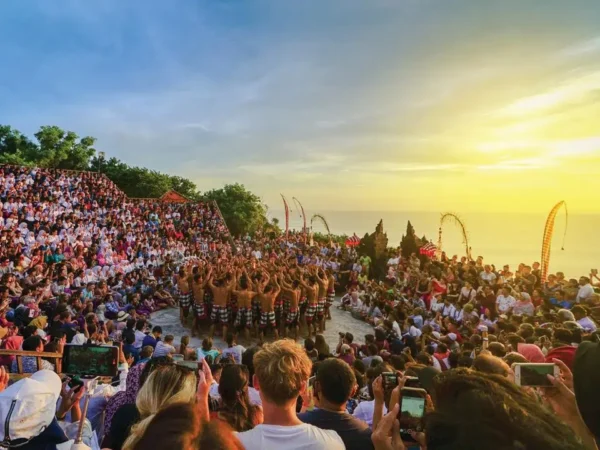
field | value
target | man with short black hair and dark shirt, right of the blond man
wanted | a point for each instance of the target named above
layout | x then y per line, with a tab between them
335	384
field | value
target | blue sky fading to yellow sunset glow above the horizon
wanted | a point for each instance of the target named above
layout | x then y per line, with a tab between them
365	105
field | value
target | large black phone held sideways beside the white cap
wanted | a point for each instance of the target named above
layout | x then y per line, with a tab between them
90	360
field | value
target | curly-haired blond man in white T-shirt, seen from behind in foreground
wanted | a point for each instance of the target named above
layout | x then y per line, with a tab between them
281	374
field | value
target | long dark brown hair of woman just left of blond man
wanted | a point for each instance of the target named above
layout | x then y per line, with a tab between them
236	409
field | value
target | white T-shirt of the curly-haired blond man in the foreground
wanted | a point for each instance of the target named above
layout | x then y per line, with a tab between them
304	437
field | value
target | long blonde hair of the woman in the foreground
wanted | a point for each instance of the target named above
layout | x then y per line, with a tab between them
165	386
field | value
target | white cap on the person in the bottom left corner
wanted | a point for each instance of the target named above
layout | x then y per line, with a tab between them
28	407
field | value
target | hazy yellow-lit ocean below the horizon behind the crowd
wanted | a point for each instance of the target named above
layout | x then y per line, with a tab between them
501	238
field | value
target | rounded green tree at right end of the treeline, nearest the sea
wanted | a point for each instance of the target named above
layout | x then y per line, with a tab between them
243	211
